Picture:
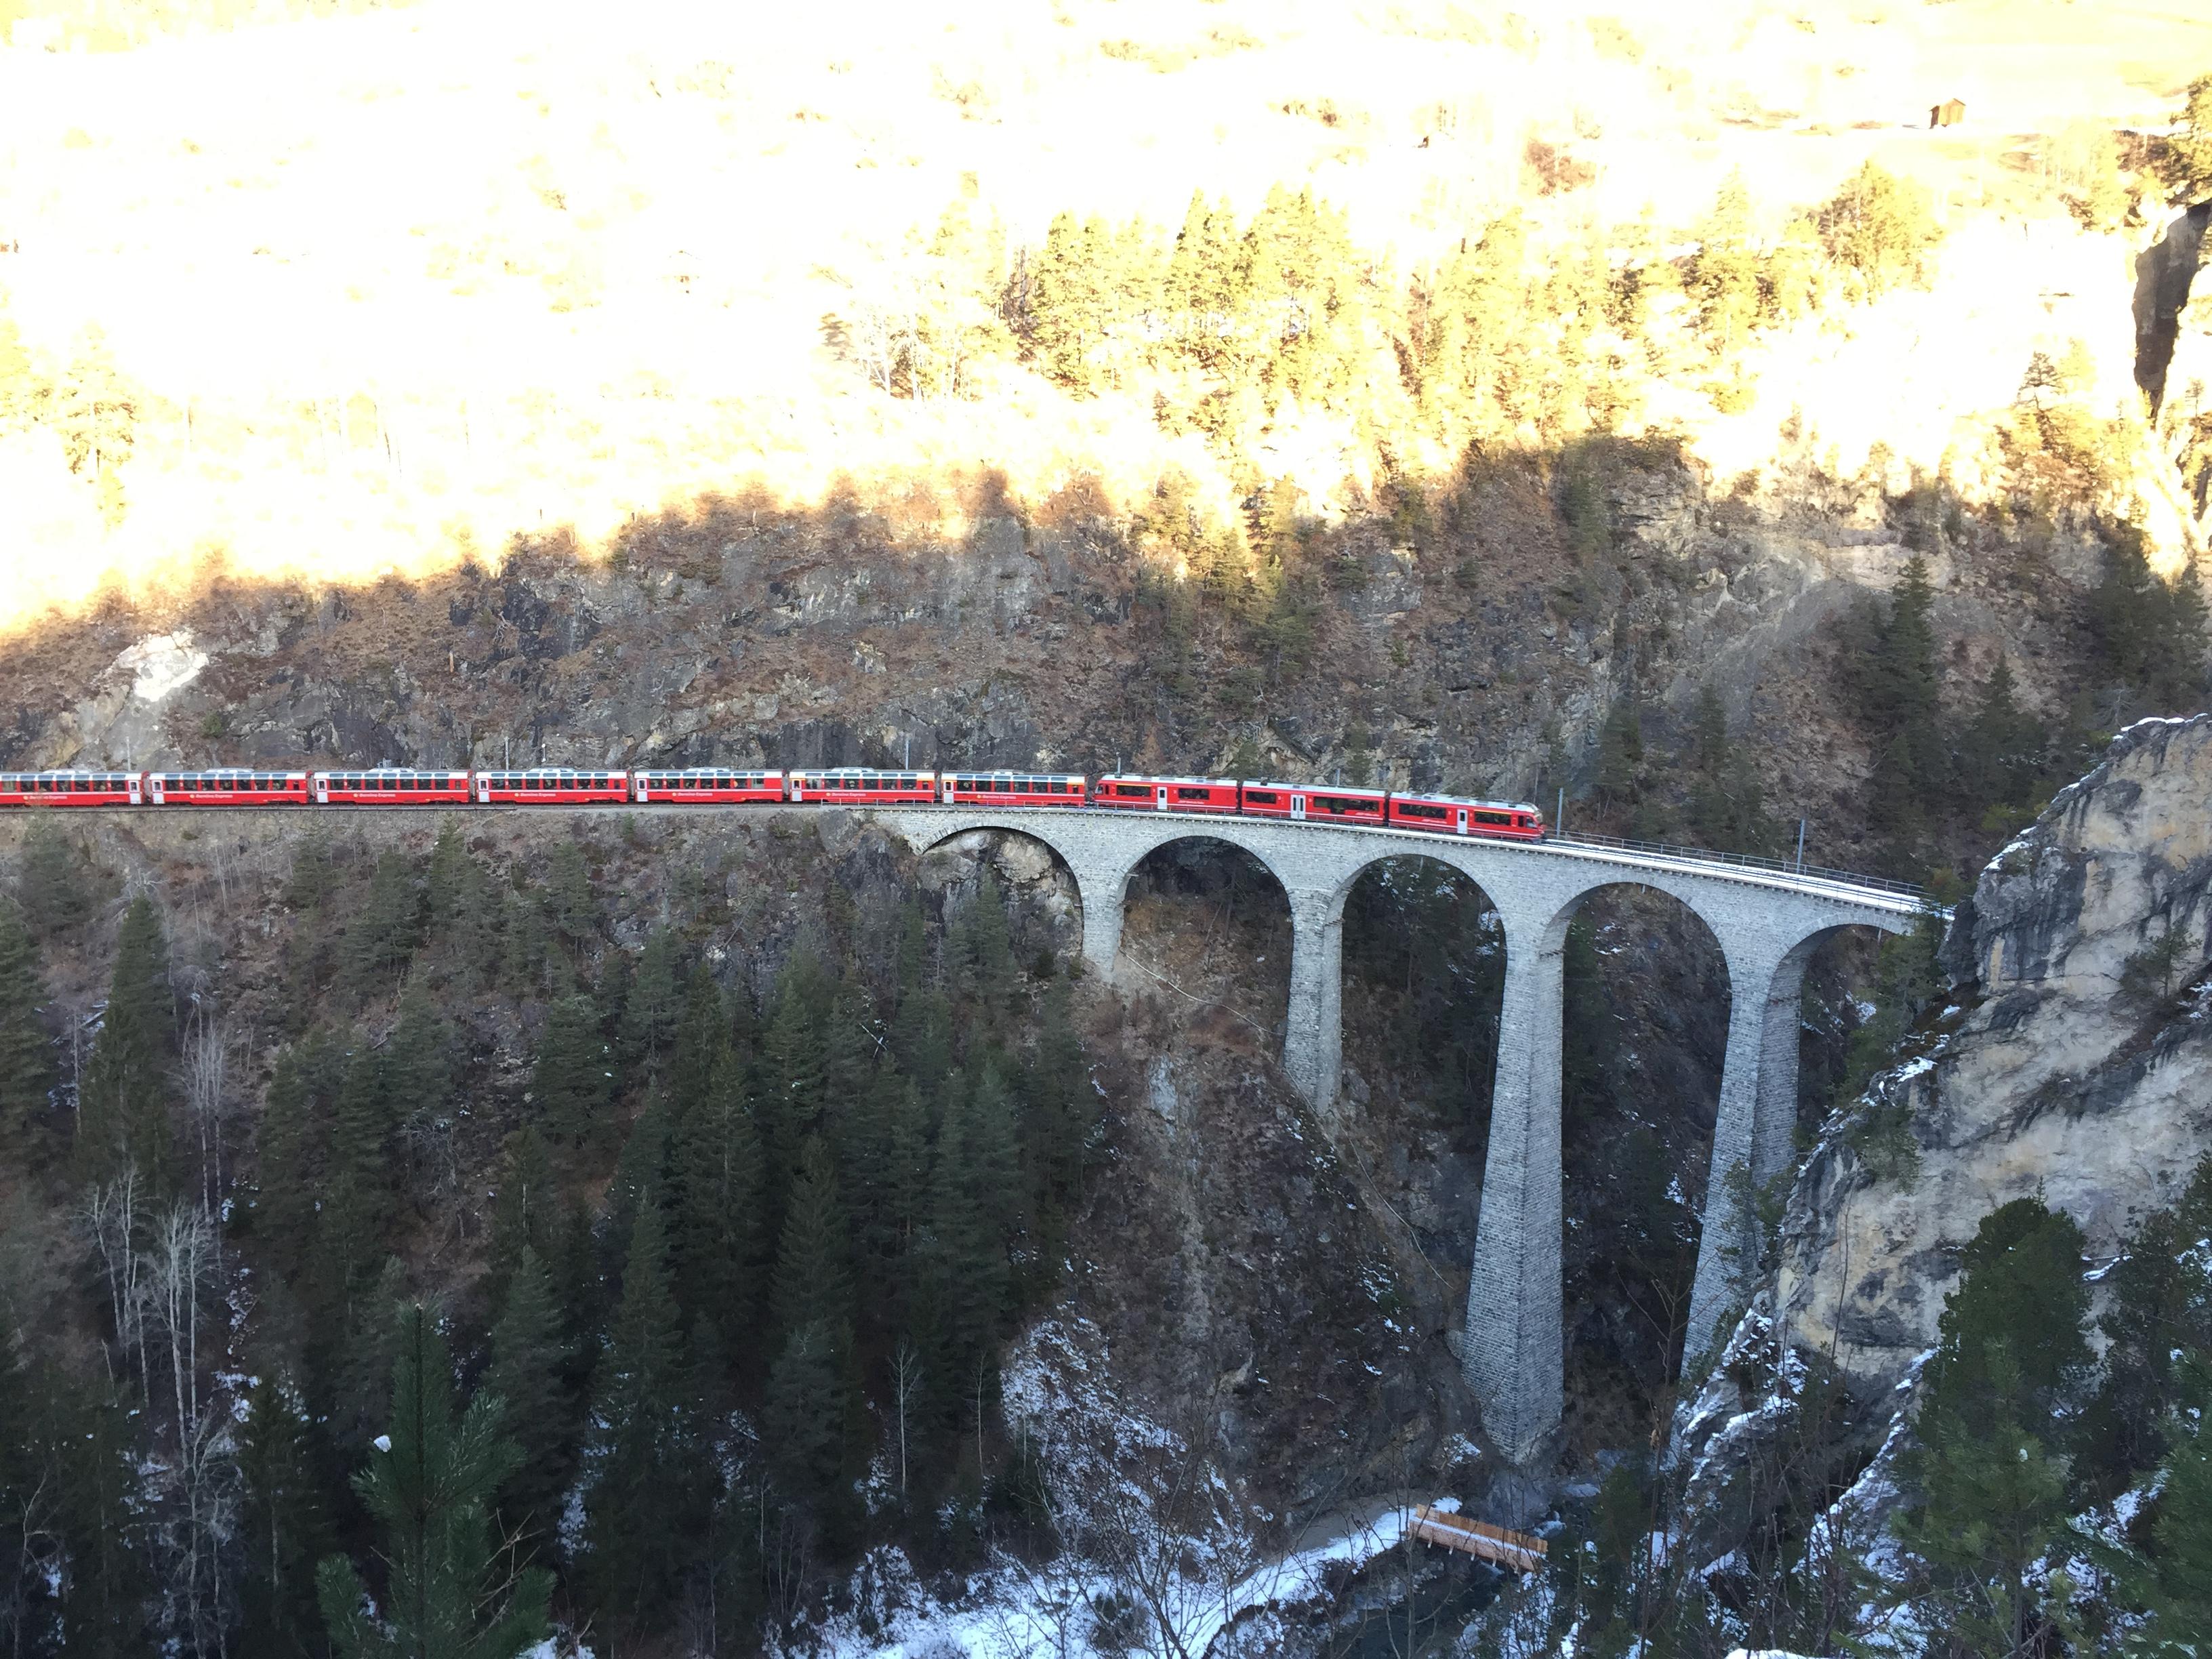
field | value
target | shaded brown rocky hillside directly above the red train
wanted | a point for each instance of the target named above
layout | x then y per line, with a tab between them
747	636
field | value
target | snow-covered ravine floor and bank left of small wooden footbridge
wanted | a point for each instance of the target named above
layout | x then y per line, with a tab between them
1149	1521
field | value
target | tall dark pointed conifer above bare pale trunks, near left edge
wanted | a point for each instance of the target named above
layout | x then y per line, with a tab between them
123	1098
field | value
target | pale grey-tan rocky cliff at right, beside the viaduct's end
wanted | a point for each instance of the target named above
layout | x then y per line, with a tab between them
2060	1070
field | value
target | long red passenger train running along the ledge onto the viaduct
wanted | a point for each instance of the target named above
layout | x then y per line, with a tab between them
399	786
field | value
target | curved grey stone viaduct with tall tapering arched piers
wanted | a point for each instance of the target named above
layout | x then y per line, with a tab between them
1766	921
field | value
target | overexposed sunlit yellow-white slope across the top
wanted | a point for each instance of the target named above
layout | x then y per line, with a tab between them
397	284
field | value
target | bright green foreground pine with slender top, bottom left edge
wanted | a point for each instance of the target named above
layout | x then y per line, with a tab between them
428	1488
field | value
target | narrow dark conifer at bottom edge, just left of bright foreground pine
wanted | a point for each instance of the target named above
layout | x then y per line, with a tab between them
284	1525
